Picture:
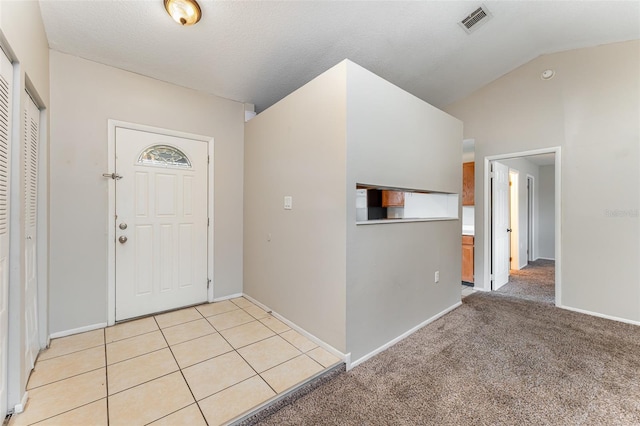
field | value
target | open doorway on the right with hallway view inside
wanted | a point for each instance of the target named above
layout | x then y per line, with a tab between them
523	238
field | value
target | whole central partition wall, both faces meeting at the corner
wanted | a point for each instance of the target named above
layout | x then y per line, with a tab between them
356	287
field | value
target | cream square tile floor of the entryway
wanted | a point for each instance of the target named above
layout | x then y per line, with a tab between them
205	365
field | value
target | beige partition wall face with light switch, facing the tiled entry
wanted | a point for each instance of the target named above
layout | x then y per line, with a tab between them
294	260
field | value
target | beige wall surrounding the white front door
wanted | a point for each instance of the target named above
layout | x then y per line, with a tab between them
84	96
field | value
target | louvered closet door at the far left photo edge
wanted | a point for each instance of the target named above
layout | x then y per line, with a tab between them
6	83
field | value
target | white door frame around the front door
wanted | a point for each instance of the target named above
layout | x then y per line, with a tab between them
111	209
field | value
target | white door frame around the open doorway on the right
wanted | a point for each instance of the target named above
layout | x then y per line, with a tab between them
486	237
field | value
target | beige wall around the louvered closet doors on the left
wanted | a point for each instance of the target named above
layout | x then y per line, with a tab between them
22	36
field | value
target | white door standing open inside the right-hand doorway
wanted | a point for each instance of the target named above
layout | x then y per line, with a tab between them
500	224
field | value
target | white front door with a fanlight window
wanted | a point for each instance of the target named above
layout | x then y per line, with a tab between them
161	222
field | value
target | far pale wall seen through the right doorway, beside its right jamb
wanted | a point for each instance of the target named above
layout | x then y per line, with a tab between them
546	213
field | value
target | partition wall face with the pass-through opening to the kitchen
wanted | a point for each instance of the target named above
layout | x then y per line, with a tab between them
395	139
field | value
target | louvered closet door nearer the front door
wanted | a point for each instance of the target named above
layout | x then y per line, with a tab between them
30	149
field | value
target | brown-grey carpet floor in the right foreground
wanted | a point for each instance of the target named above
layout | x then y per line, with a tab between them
494	360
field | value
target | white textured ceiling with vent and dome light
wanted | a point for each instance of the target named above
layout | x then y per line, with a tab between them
260	51
